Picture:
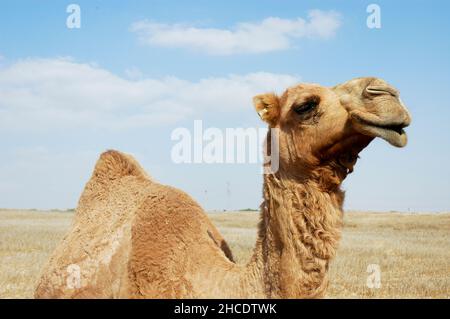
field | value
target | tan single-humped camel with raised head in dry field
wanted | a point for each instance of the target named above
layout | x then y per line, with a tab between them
135	238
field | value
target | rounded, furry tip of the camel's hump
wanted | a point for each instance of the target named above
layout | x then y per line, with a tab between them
114	165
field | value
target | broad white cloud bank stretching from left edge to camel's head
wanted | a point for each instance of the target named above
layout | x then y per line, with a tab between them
52	93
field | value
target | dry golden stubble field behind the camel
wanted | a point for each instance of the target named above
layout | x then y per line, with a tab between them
412	251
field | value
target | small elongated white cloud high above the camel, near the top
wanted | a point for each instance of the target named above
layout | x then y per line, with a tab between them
271	34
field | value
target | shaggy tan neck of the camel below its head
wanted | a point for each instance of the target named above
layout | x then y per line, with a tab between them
298	235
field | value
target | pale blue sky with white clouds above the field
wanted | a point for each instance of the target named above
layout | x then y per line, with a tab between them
68	94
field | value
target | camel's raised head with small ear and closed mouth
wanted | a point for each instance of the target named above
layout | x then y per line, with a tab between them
323	127
